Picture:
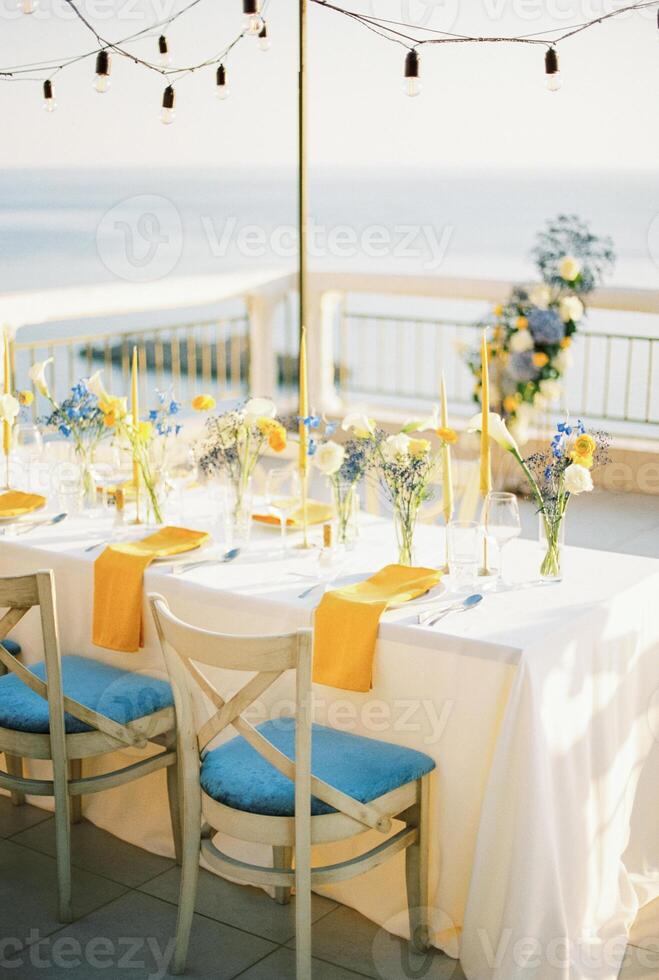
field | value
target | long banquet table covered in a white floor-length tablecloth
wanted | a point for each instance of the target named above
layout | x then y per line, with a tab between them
540	707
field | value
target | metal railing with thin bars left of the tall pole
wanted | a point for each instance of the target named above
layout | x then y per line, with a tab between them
188	358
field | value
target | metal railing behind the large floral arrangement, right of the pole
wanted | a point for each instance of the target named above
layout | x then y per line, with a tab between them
613	379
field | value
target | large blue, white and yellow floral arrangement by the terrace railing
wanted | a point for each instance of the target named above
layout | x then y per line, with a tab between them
531	334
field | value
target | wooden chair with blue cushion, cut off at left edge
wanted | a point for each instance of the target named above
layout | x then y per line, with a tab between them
51	712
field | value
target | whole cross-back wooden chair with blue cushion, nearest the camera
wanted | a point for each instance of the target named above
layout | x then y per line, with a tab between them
261	786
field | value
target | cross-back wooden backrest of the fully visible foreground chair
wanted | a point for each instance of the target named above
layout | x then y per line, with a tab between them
267	658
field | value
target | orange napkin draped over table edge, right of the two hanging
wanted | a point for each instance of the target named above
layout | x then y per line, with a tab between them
347	621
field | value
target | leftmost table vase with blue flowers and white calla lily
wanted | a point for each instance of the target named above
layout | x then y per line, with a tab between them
78	418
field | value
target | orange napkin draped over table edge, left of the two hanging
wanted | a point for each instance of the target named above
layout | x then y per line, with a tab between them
118	580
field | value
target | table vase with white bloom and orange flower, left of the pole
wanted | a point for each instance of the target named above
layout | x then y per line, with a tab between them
232	446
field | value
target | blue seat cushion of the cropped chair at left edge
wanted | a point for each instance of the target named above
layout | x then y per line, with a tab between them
120	694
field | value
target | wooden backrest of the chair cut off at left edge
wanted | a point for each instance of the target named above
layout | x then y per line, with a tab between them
19	594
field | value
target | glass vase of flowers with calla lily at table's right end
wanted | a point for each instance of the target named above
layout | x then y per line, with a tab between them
554	476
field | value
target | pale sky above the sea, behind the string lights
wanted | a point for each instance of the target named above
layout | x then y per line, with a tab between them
481	106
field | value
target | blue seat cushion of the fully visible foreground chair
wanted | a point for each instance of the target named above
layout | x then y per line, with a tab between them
237	776
